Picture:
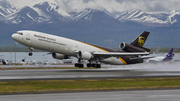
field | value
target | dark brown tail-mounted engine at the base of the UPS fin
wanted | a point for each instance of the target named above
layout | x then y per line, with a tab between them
130	48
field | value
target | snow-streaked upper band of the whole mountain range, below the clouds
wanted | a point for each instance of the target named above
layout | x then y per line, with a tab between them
51	13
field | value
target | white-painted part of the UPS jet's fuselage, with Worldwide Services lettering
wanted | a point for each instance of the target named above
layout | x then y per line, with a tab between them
59	45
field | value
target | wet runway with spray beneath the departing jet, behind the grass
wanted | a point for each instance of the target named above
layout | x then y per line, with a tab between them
113	72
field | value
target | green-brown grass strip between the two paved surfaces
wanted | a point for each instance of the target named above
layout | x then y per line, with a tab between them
75	85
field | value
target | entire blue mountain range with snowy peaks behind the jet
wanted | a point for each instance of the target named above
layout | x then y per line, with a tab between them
96	26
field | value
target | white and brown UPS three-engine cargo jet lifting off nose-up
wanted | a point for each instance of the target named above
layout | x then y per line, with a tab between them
63	48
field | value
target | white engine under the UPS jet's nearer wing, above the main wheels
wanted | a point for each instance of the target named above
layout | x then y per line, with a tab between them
84	55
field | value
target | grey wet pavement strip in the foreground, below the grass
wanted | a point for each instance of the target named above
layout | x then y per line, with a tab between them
135	95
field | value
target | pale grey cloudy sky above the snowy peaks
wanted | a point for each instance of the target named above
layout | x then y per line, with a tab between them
110	5
